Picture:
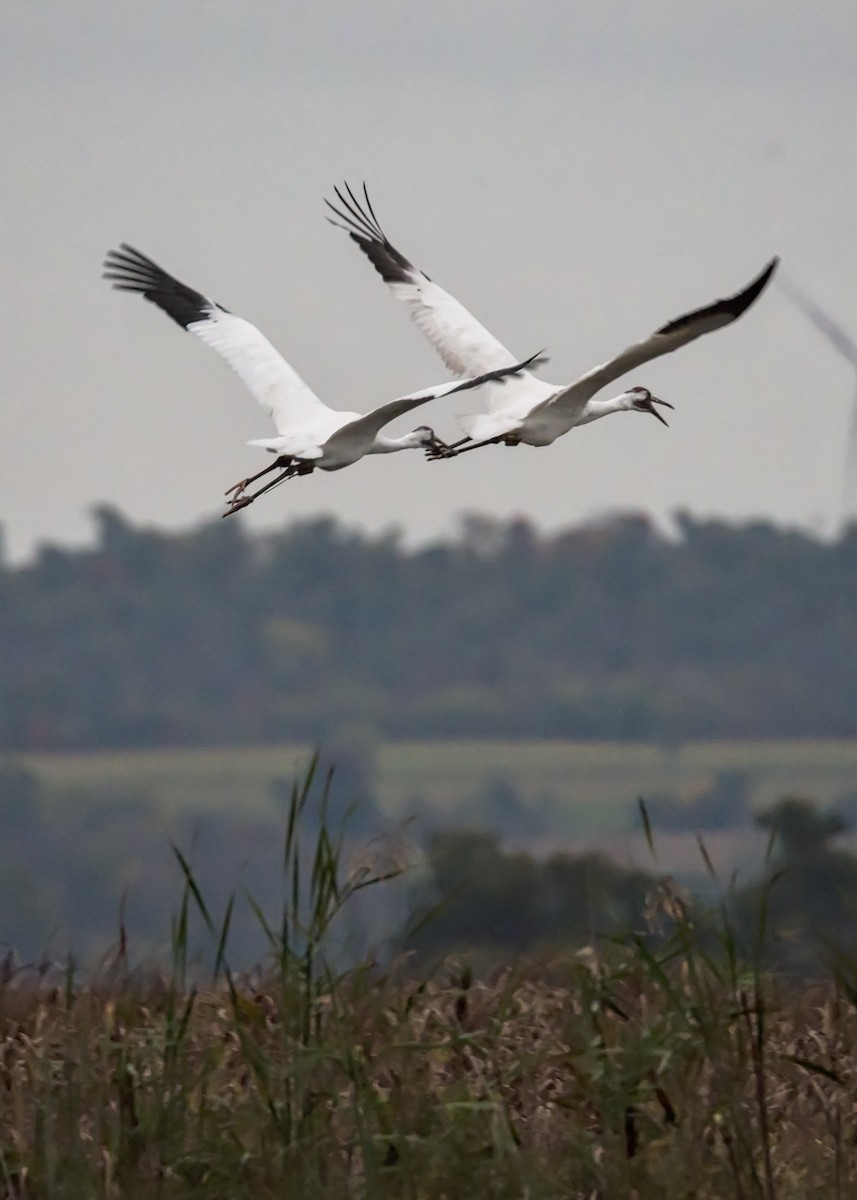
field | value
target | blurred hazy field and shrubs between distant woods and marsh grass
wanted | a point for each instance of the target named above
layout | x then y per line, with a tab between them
89	832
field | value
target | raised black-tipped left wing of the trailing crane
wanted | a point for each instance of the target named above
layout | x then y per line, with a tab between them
262	369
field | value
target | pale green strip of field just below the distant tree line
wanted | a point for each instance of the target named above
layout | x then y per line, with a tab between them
592	787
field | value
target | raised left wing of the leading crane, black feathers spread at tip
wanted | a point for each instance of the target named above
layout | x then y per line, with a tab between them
464	345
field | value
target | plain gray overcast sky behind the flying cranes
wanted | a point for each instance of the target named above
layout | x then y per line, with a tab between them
577	173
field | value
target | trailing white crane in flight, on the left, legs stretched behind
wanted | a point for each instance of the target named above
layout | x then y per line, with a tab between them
309	433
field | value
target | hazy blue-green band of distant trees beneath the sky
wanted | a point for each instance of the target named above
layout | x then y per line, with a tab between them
607	631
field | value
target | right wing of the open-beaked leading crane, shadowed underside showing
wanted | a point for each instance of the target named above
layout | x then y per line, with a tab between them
664	341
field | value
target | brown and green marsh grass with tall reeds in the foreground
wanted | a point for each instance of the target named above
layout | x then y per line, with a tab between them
663	1064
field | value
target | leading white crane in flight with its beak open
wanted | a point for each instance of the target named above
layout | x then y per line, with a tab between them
530	410
